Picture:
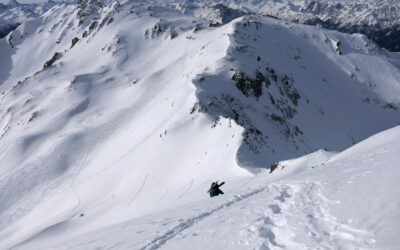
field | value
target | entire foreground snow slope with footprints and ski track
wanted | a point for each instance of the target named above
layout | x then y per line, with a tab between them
347	200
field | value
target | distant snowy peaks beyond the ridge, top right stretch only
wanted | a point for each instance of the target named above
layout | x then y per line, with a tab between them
379	20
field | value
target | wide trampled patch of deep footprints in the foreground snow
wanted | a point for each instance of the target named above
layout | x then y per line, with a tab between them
305	201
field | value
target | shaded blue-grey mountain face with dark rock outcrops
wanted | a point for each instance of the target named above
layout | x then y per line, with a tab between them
296	89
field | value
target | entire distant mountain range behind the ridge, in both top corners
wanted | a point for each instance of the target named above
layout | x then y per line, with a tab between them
378	20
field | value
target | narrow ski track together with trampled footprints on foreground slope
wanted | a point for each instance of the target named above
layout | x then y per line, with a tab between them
301	202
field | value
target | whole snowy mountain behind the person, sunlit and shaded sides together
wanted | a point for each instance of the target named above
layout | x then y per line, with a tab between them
119	111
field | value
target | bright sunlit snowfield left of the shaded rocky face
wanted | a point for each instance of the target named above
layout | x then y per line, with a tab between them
104	132
